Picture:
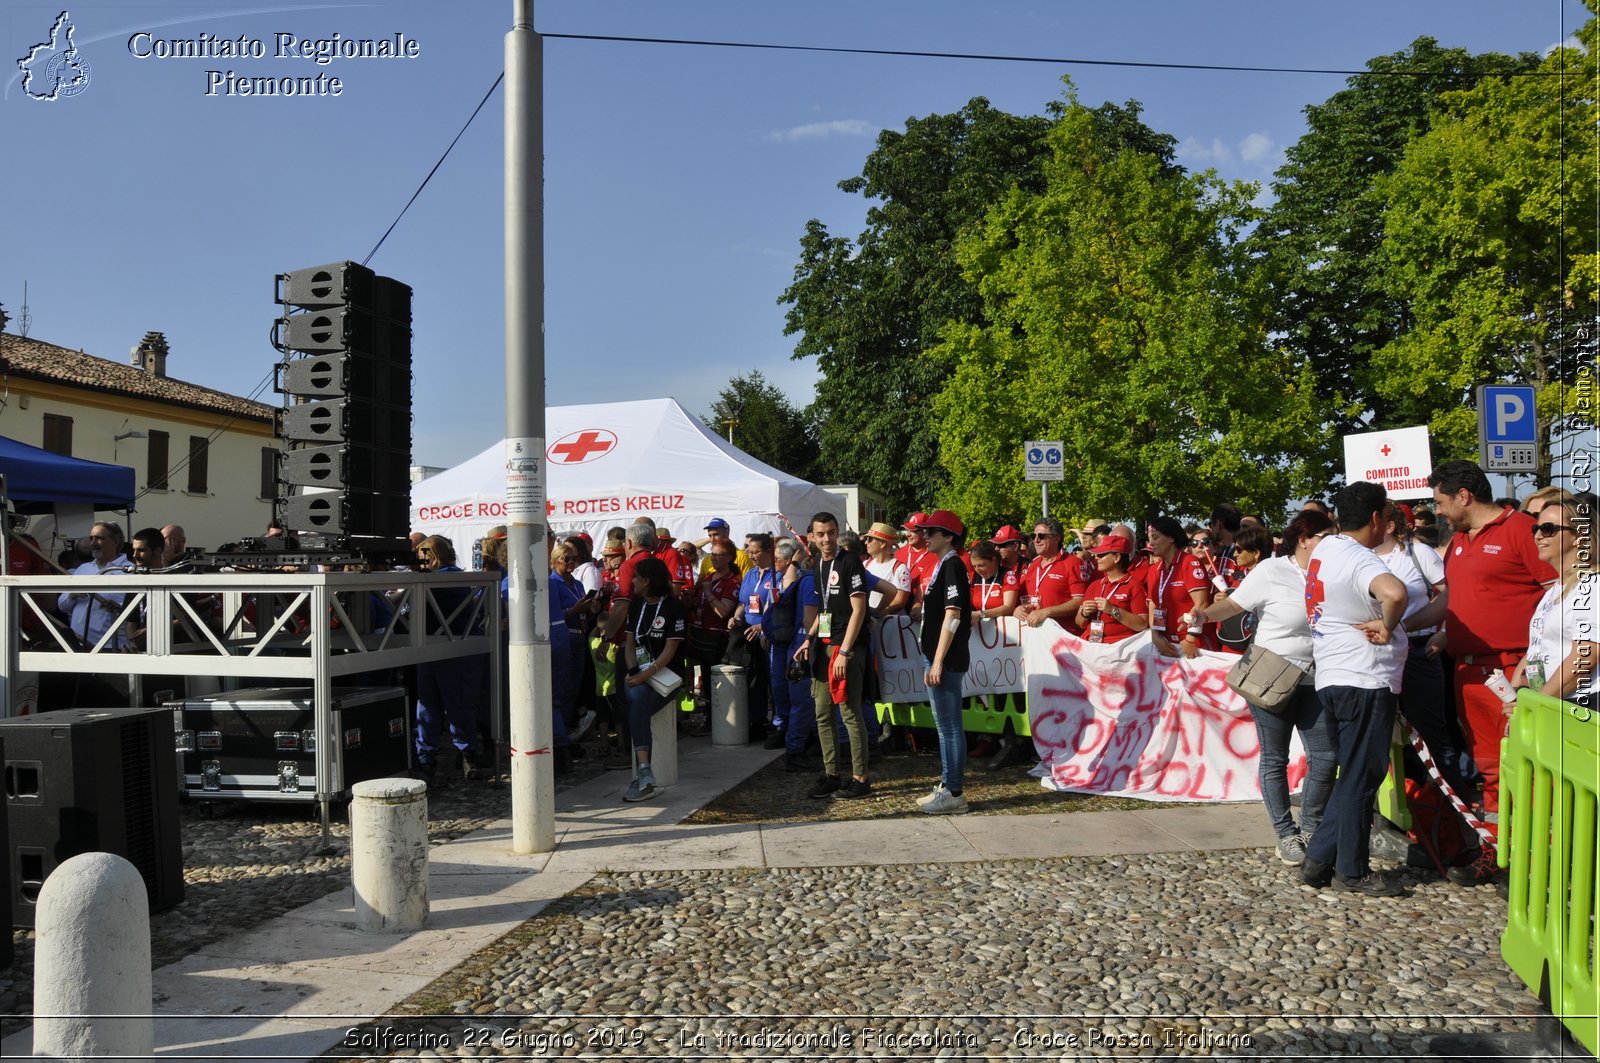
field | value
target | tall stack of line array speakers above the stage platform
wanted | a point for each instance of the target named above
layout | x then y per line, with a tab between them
345	478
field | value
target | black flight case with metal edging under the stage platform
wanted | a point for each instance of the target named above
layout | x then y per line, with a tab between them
262	744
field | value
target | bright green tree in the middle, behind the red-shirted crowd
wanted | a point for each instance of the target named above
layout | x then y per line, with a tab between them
1122	316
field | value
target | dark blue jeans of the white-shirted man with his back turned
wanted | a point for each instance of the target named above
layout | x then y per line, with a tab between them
1364	724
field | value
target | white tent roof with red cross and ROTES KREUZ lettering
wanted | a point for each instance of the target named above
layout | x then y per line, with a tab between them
614	462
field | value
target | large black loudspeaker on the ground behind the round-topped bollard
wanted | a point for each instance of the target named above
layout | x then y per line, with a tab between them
92	780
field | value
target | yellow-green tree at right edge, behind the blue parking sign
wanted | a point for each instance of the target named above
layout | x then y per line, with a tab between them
1490	241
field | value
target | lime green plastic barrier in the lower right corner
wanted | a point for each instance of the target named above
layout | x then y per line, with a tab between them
1550	792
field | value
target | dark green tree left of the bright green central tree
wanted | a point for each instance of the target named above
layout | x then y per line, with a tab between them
871	311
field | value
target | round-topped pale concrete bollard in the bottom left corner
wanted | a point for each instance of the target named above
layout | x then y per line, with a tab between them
92	963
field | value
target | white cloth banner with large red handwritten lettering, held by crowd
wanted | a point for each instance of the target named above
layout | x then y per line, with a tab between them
1124	720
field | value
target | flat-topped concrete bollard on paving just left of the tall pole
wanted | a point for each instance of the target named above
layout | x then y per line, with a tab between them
390	854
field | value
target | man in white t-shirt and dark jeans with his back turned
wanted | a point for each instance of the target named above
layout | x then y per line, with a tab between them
1359	648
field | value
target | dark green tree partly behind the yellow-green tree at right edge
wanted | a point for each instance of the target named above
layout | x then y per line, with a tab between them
1322	238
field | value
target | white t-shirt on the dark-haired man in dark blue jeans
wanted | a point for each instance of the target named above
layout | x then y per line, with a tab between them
1338	598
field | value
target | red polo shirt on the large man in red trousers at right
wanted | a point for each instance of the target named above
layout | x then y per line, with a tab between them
1495	582
